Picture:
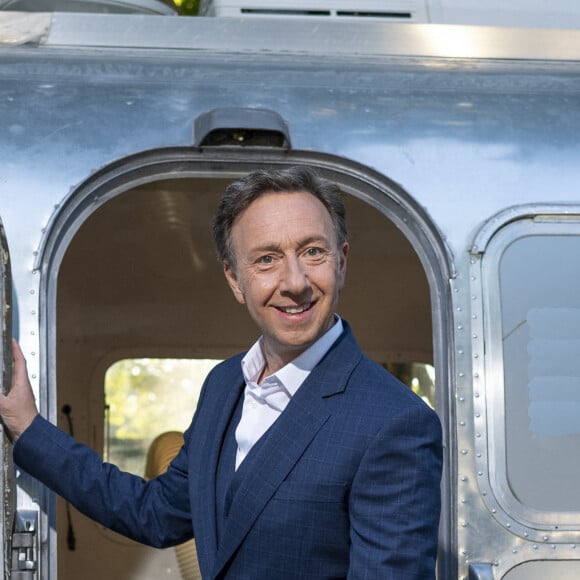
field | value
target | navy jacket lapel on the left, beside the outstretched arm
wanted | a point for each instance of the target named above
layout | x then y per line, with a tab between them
225	390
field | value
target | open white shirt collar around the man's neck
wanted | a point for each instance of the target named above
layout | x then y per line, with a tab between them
296	371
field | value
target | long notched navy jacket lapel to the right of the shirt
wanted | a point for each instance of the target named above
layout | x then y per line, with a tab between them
286	442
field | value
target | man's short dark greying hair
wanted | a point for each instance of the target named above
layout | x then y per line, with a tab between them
239	195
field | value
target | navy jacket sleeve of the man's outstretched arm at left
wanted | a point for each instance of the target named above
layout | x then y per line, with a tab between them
156	512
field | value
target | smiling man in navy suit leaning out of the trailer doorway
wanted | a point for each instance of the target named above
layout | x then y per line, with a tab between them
304	460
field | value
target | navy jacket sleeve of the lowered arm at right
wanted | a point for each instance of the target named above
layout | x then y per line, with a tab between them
395	500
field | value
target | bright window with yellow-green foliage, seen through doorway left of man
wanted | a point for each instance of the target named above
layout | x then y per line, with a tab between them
145	397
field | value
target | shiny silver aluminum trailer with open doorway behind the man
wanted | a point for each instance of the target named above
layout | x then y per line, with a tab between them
458	152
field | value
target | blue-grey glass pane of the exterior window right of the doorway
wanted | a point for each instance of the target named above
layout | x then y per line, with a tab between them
540	293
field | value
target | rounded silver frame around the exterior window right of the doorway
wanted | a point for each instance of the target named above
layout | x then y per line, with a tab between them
489	400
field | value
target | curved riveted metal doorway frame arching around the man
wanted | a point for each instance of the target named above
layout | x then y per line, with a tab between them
355	179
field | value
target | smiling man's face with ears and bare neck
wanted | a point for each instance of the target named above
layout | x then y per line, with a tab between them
288	272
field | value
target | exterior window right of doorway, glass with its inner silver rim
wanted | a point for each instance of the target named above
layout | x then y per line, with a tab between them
533	377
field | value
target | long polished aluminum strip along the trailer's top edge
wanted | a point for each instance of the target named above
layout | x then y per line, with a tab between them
302	36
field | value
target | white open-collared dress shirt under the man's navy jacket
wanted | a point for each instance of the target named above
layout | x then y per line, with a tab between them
264	403
